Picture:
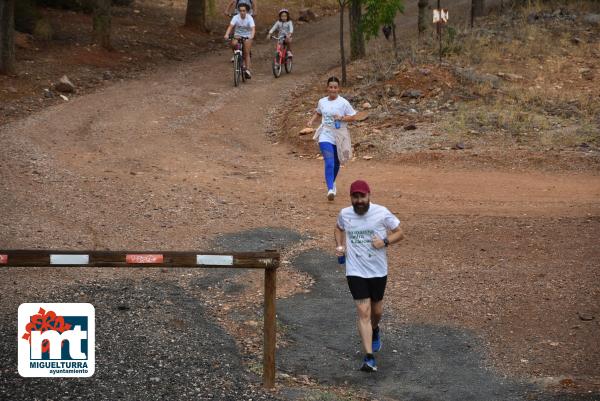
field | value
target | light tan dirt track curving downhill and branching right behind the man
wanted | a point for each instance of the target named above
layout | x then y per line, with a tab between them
150	147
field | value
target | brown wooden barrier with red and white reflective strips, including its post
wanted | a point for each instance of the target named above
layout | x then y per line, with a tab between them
268	260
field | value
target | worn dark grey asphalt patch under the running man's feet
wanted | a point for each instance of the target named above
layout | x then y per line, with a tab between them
417	361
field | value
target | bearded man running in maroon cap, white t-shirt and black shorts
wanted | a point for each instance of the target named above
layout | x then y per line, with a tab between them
362	233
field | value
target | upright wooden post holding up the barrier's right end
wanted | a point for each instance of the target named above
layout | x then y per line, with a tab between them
270	332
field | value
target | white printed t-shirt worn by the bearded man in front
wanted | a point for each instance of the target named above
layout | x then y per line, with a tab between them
362	258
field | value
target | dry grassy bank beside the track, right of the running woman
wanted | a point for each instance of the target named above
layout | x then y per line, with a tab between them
546	99
